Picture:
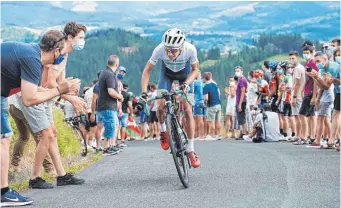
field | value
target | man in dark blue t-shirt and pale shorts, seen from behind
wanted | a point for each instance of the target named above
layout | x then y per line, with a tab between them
212	100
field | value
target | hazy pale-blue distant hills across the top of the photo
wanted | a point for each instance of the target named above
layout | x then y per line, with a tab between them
208	24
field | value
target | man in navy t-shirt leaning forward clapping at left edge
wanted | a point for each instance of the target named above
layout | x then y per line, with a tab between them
21	70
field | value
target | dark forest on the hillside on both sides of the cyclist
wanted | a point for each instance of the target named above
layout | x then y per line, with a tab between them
134	52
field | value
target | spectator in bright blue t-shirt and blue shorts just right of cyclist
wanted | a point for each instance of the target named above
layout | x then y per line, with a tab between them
198	108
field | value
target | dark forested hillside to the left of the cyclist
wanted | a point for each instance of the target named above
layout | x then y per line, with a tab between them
99	45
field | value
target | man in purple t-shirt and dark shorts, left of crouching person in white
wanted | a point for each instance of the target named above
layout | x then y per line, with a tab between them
241	97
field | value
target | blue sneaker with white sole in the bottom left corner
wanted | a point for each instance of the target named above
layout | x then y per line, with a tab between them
12	198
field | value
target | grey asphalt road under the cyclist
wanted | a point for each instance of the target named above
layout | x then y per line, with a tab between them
232	174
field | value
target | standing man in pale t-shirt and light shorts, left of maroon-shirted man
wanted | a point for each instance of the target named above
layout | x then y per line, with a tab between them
297	95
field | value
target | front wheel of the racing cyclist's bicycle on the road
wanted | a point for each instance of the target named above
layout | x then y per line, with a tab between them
178	150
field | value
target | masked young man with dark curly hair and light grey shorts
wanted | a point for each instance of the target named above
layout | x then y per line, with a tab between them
53	74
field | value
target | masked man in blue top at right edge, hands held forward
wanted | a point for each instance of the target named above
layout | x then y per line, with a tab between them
333	68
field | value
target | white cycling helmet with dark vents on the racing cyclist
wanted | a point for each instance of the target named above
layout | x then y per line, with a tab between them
173	38
